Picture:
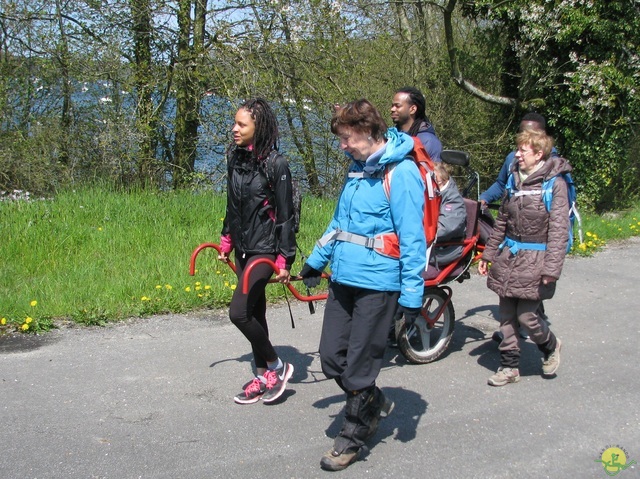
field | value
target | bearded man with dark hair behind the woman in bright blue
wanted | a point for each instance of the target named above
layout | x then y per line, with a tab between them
408	115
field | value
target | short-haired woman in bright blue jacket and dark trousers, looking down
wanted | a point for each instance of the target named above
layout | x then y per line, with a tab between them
377	248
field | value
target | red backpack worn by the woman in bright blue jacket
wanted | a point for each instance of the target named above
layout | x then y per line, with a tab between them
432	197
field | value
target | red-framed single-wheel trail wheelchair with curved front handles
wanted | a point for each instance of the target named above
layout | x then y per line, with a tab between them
428	338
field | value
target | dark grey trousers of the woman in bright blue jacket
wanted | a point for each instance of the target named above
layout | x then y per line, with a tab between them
354	334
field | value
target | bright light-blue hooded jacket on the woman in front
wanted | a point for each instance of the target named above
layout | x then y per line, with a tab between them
363	209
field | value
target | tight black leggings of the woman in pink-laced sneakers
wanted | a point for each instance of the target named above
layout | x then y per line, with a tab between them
249	311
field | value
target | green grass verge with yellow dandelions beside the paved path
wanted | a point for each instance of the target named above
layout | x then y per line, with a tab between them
95	255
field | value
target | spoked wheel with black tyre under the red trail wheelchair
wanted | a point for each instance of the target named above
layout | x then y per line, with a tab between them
423	343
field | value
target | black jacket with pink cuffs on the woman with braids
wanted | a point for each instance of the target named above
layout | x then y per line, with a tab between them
260	214
